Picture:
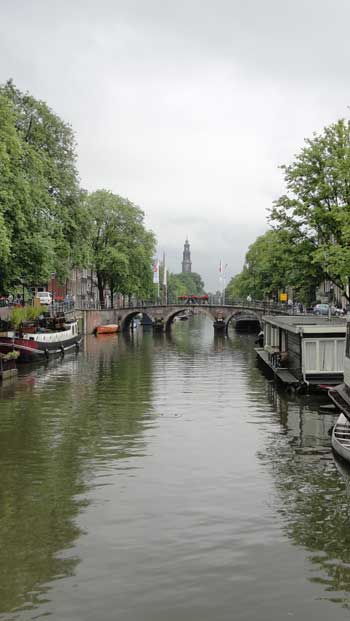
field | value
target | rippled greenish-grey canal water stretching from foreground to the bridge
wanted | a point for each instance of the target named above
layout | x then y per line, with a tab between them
153	477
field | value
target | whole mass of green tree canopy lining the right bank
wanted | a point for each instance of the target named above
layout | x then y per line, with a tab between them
310	237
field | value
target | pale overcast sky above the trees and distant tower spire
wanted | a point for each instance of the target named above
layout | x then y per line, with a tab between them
186	107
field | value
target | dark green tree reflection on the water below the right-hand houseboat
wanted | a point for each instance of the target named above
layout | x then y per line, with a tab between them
313	501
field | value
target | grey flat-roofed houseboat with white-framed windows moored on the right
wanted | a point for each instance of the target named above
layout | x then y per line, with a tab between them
304	351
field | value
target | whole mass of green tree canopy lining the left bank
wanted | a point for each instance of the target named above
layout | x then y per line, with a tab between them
47	222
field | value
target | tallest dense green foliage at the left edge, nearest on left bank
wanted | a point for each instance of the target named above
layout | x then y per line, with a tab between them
42	224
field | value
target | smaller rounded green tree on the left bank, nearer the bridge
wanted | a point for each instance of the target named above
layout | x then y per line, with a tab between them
121	247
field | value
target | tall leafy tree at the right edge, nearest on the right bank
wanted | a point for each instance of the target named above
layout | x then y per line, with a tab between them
316	208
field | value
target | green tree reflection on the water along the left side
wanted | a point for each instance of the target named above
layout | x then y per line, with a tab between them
56	422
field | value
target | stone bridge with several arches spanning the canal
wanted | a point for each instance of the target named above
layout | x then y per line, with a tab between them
162	316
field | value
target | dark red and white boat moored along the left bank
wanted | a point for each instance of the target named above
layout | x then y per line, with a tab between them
39	342
